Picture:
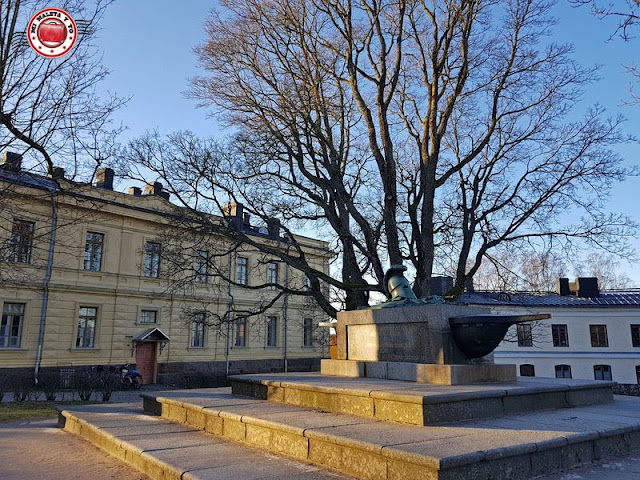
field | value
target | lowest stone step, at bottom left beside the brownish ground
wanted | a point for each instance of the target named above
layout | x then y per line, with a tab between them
166	451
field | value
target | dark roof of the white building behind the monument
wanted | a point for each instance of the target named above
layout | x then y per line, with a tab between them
628	298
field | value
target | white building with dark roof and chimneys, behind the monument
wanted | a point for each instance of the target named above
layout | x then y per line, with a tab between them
590	335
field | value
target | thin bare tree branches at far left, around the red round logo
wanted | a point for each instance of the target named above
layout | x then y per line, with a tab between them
50	109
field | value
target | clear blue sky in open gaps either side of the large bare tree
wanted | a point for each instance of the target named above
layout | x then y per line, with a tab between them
148	46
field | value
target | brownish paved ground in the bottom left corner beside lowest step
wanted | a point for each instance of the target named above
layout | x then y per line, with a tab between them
39	450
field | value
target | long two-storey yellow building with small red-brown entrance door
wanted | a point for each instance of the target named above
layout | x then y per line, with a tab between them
90	276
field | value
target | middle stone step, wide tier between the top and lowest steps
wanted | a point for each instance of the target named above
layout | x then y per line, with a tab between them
510	447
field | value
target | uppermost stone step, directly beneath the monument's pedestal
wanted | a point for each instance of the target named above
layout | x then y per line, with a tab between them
421	404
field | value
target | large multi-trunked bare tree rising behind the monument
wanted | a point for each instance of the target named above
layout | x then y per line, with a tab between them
423	132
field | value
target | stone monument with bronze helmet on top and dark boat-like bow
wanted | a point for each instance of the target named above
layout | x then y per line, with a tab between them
421	340
